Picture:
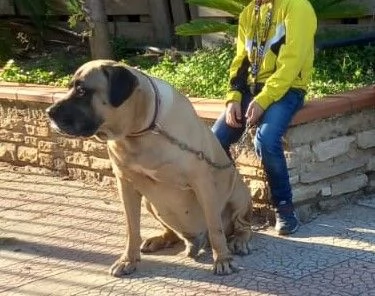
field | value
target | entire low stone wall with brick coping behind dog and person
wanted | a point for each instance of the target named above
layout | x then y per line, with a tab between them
330	146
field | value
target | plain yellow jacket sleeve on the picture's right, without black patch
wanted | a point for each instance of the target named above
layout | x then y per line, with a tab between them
300	26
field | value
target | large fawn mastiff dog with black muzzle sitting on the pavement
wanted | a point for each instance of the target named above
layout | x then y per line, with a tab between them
161	150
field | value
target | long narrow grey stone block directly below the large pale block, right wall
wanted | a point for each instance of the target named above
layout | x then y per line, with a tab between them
331	171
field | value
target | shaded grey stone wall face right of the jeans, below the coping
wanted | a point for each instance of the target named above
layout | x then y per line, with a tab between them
332	157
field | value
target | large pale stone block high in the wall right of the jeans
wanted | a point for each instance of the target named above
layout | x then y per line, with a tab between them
332	148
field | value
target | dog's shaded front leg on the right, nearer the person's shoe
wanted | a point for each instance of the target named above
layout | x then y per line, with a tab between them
212	205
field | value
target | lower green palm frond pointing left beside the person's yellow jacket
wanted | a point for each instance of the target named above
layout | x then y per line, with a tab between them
202	26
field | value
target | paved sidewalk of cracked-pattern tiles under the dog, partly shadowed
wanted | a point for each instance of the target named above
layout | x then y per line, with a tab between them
59	237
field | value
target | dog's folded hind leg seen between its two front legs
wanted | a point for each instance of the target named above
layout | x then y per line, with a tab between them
165	240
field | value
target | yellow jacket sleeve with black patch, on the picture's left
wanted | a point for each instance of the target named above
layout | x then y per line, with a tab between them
238	71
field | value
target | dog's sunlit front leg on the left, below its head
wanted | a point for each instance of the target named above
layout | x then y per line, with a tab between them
131	200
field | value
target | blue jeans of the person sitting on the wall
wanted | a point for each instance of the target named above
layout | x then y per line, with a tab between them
268	140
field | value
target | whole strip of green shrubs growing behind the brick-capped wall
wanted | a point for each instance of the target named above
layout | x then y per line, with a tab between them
204	73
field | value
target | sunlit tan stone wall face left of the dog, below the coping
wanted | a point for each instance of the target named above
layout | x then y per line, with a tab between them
27	139
